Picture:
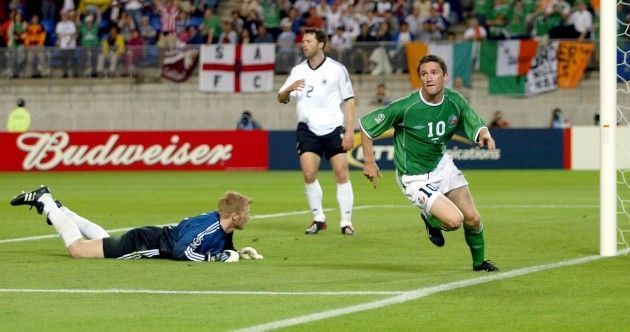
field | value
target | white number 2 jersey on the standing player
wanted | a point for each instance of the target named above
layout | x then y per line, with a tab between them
325	88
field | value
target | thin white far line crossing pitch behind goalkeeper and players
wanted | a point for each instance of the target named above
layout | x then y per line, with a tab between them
294	213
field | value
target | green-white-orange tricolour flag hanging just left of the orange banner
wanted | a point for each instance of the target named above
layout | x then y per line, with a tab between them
507	58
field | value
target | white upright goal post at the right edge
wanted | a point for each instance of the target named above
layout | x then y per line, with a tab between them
608	123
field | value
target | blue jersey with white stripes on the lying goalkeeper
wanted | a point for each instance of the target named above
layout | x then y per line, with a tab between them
198	237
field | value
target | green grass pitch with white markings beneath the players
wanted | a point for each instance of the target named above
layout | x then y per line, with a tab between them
532	218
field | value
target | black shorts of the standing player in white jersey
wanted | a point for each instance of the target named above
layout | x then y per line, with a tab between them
327	145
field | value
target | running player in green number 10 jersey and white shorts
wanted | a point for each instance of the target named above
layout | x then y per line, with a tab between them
423	123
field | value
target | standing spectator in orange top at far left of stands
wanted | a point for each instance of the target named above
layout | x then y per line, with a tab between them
34	39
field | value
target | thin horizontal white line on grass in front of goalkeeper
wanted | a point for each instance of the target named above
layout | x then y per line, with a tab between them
184	292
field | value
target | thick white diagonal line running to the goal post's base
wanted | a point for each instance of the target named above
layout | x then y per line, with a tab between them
418	293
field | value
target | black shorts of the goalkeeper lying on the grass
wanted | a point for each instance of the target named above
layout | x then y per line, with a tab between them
141	242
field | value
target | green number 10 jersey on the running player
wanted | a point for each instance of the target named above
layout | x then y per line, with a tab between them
421	129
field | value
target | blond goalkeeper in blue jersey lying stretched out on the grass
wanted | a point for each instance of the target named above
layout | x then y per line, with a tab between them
206	237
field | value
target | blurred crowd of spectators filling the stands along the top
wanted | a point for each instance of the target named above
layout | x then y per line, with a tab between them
368	34
